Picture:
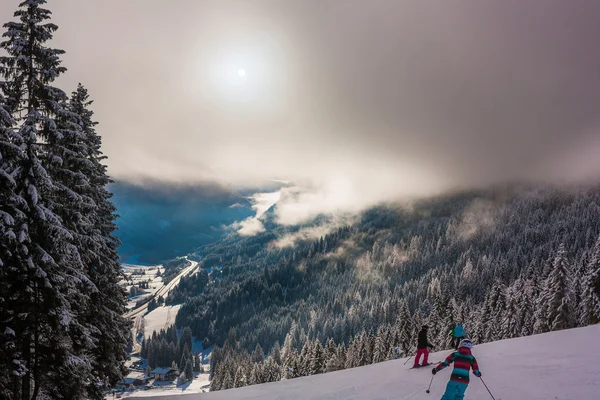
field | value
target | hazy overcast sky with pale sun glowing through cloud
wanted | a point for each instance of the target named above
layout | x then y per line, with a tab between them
361	100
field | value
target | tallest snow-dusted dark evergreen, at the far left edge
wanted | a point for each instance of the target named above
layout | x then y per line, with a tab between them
52	338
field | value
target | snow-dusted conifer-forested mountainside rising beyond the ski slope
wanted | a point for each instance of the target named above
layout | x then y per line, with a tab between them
503	263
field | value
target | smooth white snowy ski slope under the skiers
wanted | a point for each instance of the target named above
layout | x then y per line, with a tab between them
561	365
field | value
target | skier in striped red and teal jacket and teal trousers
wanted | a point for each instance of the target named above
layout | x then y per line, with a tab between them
463	361
